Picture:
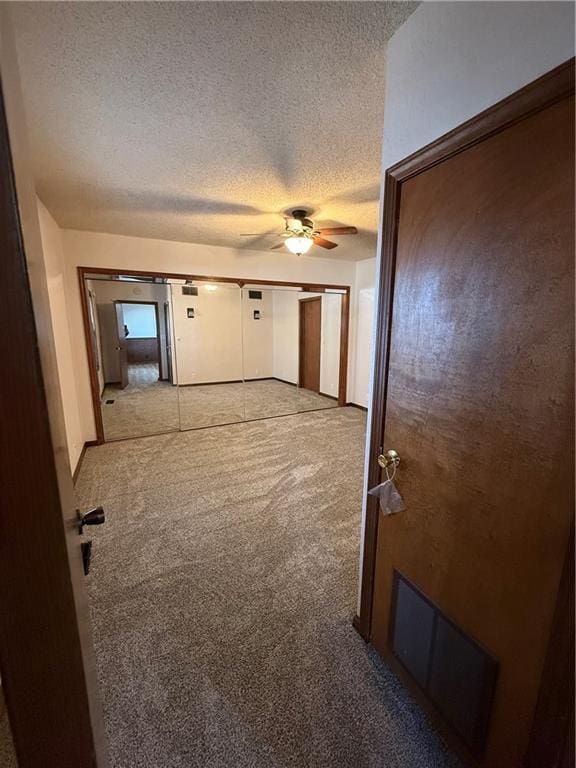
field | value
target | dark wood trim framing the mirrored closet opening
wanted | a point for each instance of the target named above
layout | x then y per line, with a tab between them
85	272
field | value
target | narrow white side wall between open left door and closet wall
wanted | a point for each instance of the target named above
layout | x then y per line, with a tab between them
55	275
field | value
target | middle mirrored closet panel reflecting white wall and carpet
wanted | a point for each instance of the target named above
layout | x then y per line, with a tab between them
207	320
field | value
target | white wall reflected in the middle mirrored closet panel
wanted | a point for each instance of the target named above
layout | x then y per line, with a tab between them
209	345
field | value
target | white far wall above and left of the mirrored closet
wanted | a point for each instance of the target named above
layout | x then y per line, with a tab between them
95	249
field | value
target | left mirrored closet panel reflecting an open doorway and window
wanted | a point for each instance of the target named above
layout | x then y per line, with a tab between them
130	340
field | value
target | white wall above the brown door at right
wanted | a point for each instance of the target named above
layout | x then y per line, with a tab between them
451	60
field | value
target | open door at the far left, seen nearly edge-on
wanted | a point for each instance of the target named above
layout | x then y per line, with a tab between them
46	655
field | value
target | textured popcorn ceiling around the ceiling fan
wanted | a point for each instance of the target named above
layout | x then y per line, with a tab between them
199	121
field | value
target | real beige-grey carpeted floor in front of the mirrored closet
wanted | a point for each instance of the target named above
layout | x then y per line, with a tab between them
222	591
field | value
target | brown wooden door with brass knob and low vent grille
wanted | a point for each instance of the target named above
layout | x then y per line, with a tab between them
480	409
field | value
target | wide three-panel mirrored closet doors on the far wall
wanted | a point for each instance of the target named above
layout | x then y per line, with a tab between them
174	354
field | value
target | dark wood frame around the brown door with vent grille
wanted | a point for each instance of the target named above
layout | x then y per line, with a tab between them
534	97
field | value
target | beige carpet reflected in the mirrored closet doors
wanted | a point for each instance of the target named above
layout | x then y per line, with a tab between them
148	406
